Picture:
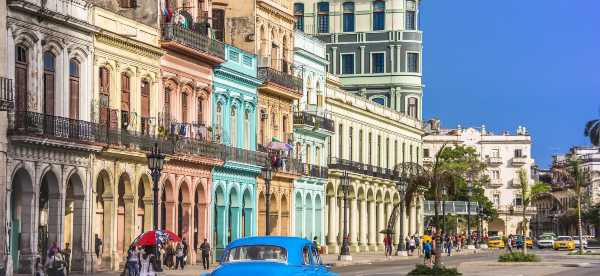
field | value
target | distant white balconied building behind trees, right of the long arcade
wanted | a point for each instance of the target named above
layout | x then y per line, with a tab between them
505	153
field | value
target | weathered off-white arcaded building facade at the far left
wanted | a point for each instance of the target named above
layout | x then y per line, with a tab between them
49	50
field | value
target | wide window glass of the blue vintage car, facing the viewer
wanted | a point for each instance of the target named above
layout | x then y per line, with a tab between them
256	253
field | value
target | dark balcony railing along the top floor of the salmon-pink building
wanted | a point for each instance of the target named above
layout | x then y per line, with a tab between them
193	39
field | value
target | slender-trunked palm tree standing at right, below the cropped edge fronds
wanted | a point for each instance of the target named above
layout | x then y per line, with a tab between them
570	174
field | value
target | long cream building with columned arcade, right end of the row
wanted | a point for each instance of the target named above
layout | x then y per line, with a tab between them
370	141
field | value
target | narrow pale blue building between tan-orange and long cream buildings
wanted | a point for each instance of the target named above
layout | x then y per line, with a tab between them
312	127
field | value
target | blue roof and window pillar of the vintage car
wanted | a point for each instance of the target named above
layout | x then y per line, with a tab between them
293	245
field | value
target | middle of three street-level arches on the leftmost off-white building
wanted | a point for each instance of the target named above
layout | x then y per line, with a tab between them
49	215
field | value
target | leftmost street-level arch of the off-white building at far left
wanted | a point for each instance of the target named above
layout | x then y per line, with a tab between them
21	221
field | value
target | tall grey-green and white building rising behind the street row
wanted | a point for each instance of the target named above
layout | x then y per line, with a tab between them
375	47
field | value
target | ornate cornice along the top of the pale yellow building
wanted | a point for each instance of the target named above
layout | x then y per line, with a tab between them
129	44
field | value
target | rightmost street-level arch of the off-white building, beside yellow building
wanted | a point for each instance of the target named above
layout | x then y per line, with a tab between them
74	220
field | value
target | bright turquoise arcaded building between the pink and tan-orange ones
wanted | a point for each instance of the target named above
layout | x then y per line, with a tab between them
233	107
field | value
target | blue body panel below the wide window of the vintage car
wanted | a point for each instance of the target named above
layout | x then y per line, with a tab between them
255	269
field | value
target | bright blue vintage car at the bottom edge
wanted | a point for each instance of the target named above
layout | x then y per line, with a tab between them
262	256
